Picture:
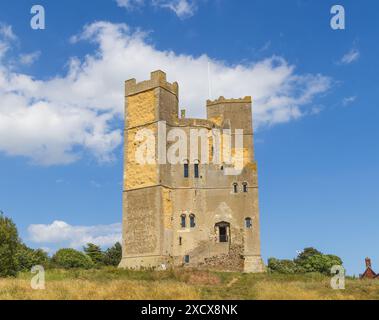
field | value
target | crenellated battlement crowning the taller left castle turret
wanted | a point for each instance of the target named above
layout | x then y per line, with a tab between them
157	79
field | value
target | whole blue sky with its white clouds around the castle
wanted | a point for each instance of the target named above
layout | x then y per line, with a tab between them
315	112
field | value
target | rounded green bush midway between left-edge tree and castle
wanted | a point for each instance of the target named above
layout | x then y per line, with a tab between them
70	258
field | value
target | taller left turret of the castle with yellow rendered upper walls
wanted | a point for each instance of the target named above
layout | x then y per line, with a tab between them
146	235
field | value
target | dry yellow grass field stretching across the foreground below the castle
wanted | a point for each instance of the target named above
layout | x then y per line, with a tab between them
182	284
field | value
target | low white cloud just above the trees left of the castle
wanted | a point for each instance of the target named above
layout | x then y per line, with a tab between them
62	233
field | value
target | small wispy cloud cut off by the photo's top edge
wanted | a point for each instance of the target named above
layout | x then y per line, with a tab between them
182	8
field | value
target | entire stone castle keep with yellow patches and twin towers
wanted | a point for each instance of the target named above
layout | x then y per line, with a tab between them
190	213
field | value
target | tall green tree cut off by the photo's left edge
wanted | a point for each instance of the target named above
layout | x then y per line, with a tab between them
9	243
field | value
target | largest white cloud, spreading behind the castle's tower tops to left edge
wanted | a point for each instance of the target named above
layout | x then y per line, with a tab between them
54	121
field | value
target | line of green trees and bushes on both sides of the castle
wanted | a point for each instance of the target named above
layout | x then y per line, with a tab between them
16	257
